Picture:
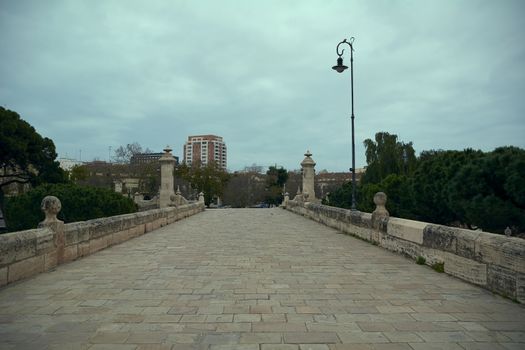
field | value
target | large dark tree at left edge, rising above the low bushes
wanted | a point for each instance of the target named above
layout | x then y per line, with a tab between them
25	156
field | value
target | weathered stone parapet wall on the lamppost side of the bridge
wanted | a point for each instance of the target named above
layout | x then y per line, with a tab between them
492	261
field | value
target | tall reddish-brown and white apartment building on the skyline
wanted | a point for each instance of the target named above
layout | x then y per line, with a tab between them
205	149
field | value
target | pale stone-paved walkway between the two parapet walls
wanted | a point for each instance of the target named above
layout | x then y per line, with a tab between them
252	279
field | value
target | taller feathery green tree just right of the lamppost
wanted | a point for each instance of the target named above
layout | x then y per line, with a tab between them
386	155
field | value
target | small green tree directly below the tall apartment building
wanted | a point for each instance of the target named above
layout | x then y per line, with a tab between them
209	179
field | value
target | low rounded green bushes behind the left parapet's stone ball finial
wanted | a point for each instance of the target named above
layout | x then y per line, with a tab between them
79	203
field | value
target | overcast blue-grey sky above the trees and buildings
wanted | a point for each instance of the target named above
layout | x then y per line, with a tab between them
94	74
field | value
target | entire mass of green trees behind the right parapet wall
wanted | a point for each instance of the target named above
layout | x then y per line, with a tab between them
460	188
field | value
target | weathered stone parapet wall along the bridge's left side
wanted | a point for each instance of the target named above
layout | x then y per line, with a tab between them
27	253
